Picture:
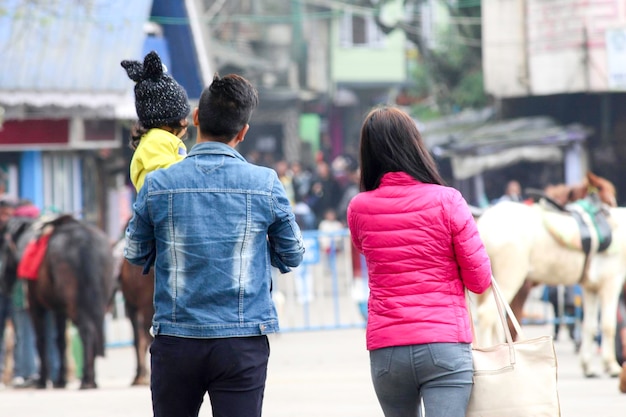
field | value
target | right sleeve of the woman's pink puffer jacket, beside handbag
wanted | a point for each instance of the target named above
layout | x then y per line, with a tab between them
469	250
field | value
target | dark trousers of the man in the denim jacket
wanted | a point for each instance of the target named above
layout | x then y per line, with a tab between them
232	370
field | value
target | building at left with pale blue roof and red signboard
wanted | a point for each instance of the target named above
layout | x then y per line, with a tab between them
60	88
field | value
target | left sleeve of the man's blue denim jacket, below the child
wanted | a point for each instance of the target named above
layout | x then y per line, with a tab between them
139	246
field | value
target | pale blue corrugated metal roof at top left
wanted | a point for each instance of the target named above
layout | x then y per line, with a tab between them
68	52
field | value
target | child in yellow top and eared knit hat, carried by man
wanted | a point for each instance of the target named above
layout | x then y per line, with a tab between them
162	108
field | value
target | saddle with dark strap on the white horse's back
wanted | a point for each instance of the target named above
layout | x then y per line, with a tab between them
583	225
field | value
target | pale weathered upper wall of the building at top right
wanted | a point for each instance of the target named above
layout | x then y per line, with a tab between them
539	47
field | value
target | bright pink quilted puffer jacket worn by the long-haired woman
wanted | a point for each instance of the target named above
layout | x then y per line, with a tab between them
422	249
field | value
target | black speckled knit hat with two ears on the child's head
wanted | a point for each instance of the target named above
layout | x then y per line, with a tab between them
159	99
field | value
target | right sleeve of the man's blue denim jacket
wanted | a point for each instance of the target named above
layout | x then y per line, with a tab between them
285	241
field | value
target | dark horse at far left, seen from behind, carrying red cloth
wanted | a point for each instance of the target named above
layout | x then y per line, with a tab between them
75	281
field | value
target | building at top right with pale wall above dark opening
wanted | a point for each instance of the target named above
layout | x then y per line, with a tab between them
566	60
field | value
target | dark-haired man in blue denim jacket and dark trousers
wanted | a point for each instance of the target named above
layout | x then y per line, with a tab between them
217	224
